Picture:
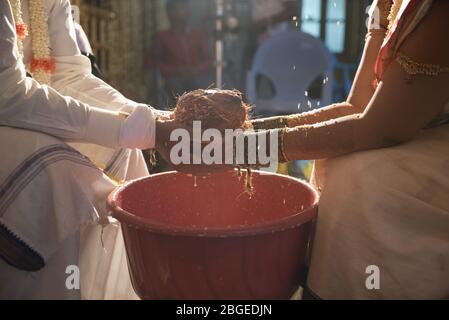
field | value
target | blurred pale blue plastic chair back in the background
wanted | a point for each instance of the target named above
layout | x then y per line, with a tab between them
291	61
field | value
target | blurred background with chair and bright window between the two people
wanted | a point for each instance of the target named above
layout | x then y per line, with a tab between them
286	56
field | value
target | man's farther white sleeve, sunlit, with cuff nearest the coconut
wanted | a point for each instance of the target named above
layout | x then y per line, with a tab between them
73	77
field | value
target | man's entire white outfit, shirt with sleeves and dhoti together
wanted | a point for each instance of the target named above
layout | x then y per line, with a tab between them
51	196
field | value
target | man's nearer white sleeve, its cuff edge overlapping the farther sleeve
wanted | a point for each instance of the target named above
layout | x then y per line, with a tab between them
26	104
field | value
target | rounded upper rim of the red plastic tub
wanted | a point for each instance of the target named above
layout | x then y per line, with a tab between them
289	222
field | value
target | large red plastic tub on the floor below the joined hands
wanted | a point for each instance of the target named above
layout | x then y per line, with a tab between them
205	238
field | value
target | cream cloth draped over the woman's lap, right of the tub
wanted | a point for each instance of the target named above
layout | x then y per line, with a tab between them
387	208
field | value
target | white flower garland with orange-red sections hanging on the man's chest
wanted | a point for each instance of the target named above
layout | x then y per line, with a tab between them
42	65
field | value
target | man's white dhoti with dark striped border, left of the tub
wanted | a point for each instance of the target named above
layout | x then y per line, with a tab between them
52	199
